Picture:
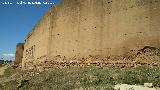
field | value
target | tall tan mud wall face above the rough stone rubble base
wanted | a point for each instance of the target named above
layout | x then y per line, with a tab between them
81	28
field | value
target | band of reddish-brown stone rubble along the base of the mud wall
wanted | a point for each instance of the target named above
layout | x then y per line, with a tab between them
148	56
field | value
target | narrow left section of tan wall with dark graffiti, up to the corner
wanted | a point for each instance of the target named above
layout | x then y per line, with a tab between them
36	44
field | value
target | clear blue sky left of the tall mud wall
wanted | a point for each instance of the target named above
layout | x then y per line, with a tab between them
16	21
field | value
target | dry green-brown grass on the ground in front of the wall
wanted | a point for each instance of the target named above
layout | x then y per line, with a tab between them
79	78
